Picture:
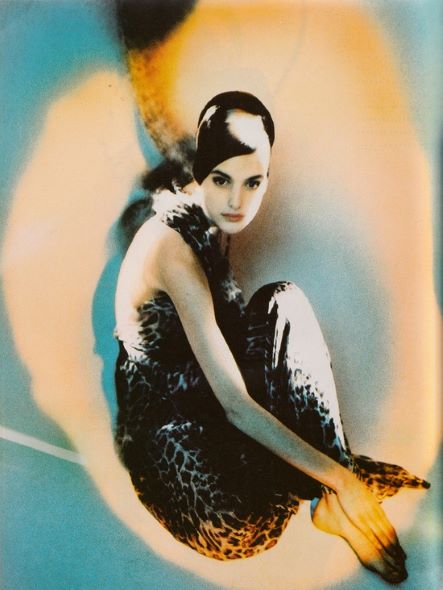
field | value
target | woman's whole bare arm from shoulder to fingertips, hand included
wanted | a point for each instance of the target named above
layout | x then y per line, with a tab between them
181	276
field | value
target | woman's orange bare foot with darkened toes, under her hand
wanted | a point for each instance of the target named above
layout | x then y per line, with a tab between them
330	518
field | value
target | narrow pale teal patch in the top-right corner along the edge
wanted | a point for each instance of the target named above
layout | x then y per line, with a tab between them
416	32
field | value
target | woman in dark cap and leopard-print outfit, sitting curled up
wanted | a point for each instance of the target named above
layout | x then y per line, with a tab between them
228	414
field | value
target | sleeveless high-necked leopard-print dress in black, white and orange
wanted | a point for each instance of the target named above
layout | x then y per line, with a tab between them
213	487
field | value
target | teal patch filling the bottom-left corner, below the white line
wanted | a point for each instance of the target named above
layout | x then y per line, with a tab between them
58	533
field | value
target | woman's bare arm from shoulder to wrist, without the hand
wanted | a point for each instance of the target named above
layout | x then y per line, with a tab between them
182	277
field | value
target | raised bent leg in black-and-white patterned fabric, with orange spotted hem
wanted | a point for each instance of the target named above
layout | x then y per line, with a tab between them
285	338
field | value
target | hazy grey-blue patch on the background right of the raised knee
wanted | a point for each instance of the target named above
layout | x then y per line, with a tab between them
340	270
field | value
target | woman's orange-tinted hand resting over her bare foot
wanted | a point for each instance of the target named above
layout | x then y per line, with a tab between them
363	510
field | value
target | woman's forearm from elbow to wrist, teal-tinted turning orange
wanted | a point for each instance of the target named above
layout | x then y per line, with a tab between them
261	425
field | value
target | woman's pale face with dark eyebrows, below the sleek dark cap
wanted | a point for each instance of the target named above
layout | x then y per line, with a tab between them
233	191
